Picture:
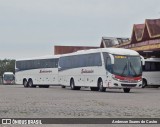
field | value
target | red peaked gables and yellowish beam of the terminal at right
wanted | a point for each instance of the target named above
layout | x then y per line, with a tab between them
145	38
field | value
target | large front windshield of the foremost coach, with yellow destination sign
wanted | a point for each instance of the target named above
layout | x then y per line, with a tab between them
127	66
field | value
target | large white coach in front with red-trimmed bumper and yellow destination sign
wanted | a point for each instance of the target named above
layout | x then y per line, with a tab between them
100	69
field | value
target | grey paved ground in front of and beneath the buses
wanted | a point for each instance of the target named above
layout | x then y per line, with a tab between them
55	102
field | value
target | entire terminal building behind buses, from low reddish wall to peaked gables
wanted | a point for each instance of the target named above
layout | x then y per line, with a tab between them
145	39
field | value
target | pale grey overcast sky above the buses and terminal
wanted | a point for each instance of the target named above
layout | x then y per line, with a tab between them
30	28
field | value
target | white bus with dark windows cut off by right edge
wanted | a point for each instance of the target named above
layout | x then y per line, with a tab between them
151	72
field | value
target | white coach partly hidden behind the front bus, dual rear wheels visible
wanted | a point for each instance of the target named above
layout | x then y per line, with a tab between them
42	71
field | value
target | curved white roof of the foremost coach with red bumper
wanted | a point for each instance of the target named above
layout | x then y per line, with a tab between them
119	51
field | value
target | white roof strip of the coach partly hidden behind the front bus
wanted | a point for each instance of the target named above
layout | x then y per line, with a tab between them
40	57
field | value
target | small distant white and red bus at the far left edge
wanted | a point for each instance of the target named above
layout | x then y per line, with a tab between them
8	78
